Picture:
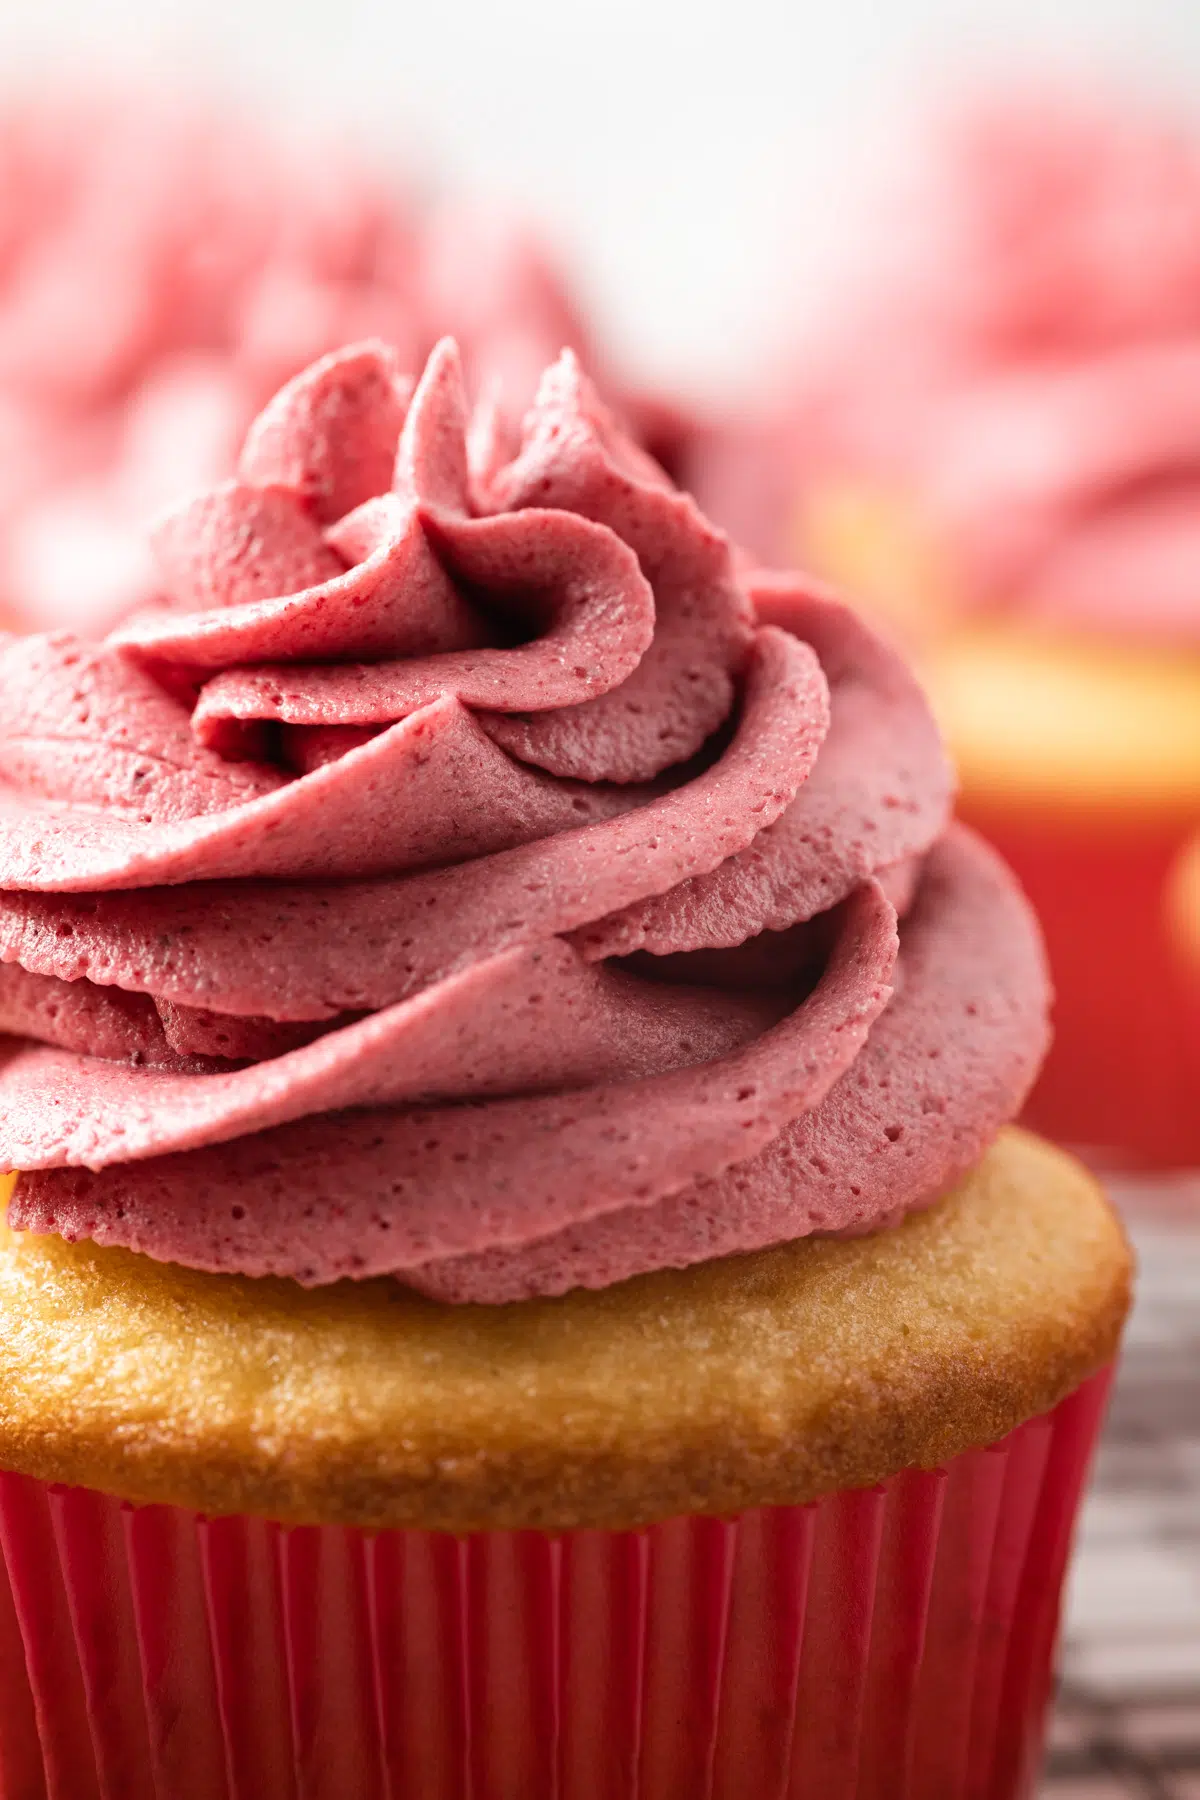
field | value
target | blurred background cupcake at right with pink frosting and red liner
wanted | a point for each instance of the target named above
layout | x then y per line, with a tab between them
998	454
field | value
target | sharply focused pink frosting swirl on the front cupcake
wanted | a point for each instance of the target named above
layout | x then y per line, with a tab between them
463	874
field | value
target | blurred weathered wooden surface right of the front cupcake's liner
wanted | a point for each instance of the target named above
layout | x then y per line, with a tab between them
1129	1716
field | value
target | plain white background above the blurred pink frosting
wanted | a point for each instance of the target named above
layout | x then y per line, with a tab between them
695	159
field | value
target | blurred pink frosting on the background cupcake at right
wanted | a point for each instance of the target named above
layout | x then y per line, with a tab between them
1021	354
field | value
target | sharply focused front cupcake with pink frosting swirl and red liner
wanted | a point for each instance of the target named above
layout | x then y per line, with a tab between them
521	1281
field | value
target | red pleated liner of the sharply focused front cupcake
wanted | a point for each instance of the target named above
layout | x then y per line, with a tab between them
884	1644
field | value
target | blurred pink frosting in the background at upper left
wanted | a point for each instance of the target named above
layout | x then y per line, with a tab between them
163	271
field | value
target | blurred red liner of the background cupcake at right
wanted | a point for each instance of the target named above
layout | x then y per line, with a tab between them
1122	1081
